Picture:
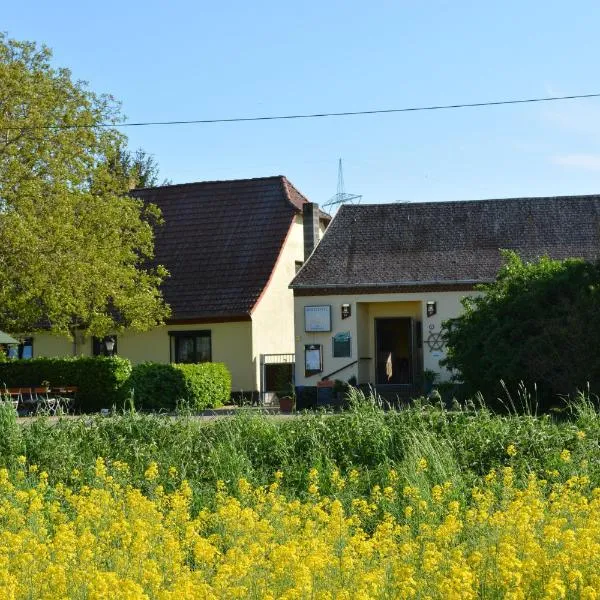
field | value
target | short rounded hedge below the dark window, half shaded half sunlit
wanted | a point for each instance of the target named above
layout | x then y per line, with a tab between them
159	386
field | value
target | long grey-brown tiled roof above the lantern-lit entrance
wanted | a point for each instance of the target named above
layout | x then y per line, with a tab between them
447	242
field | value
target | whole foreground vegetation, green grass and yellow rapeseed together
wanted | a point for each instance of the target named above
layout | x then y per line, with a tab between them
420	502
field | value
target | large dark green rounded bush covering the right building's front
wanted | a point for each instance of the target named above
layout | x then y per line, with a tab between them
538	323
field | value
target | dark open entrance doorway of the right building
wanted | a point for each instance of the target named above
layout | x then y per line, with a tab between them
396	351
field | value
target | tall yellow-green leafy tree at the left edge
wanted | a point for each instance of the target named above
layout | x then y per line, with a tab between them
76	250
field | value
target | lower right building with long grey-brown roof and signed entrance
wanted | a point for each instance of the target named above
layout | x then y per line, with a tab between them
371	299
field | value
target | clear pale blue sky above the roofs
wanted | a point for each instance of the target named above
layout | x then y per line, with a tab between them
193	60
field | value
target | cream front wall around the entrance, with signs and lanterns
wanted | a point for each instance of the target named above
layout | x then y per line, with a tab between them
365	308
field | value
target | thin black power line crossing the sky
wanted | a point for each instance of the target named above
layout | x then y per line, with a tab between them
313	115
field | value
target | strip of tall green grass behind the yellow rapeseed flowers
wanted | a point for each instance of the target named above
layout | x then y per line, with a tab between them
459	445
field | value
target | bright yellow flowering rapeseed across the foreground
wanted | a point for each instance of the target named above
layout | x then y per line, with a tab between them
107	539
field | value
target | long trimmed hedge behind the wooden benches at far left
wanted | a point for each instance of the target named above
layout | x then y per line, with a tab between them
101	380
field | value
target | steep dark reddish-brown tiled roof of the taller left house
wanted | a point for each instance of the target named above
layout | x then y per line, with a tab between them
220	242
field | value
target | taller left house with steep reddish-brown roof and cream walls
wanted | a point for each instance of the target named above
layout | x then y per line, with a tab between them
232	248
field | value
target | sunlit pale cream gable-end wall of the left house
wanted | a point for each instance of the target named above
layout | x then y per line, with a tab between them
273	315
